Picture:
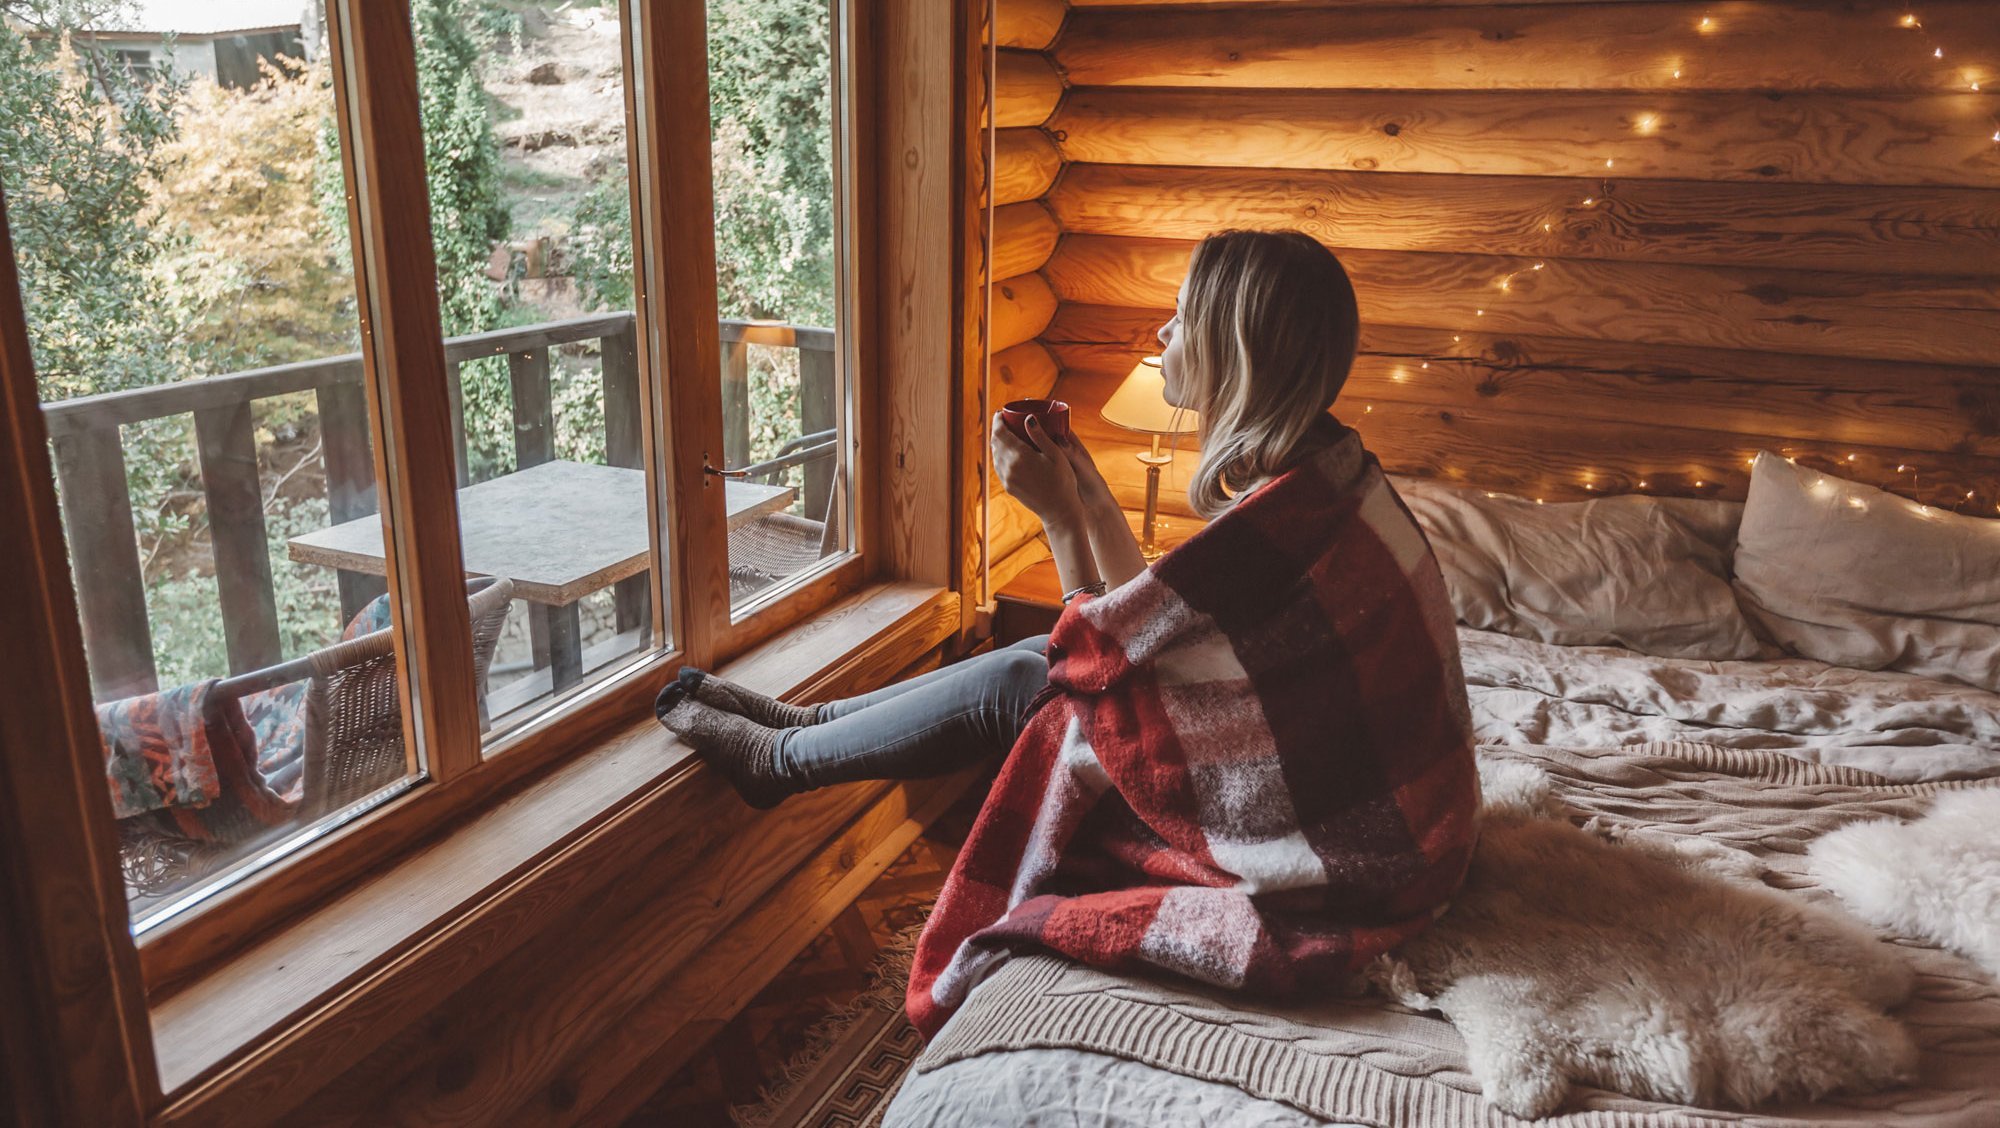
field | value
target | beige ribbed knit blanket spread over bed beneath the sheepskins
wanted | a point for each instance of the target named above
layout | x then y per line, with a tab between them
1373	1063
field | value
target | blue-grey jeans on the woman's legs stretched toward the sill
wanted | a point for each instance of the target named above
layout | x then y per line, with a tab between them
927	727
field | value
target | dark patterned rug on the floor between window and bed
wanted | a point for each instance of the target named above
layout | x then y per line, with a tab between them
855	1059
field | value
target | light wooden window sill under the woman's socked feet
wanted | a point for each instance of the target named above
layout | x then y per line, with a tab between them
307	999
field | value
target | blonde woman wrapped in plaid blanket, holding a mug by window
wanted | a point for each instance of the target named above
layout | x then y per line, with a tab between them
1249	763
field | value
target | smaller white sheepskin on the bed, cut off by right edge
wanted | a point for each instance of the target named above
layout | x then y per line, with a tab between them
1935	879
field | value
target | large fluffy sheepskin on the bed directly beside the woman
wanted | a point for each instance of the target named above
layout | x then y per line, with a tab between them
1647	967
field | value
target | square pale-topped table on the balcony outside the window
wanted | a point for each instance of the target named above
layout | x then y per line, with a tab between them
559	531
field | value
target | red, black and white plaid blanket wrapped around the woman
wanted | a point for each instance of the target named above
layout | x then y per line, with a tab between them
1255	765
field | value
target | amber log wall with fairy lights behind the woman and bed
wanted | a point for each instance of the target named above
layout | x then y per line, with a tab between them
1601	245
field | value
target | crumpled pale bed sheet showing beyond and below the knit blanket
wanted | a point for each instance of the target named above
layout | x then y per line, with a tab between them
1525	693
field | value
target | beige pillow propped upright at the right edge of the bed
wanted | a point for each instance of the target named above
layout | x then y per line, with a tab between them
1859	577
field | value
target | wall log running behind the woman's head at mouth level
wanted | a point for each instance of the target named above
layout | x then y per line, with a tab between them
1903	407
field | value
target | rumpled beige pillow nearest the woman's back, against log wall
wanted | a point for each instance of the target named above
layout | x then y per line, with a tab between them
1641	573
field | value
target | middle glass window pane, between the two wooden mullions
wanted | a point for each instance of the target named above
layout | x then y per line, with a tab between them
525	137
